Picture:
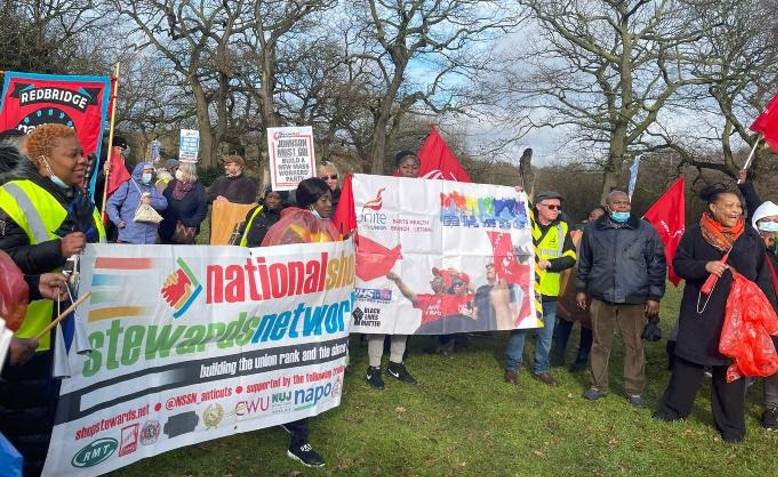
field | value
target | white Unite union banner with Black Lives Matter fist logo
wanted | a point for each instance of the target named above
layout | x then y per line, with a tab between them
438	257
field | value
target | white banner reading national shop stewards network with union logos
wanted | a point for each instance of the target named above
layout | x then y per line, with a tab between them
195	343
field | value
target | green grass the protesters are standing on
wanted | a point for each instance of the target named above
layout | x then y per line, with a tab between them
463	420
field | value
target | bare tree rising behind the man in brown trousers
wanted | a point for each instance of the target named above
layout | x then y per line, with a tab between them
606	67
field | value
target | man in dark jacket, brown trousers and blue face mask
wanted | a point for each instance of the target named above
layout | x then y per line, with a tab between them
622	268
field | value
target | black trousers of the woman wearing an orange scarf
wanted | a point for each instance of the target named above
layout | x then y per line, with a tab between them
727	400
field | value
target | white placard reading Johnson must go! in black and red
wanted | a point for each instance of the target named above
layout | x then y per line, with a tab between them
291	157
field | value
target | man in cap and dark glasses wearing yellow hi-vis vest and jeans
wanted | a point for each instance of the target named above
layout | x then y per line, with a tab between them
554	252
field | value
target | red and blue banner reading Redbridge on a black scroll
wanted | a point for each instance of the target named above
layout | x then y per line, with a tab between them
80	102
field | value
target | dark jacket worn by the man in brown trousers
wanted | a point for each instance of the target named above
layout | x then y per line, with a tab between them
621	263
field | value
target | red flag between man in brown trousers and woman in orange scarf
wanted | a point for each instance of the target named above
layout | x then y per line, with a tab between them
668	216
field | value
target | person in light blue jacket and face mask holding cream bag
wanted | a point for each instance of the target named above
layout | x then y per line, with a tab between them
124	202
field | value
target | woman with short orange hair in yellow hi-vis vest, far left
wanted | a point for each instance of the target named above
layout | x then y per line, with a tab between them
44	219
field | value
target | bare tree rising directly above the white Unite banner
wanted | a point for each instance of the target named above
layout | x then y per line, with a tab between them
436	36
